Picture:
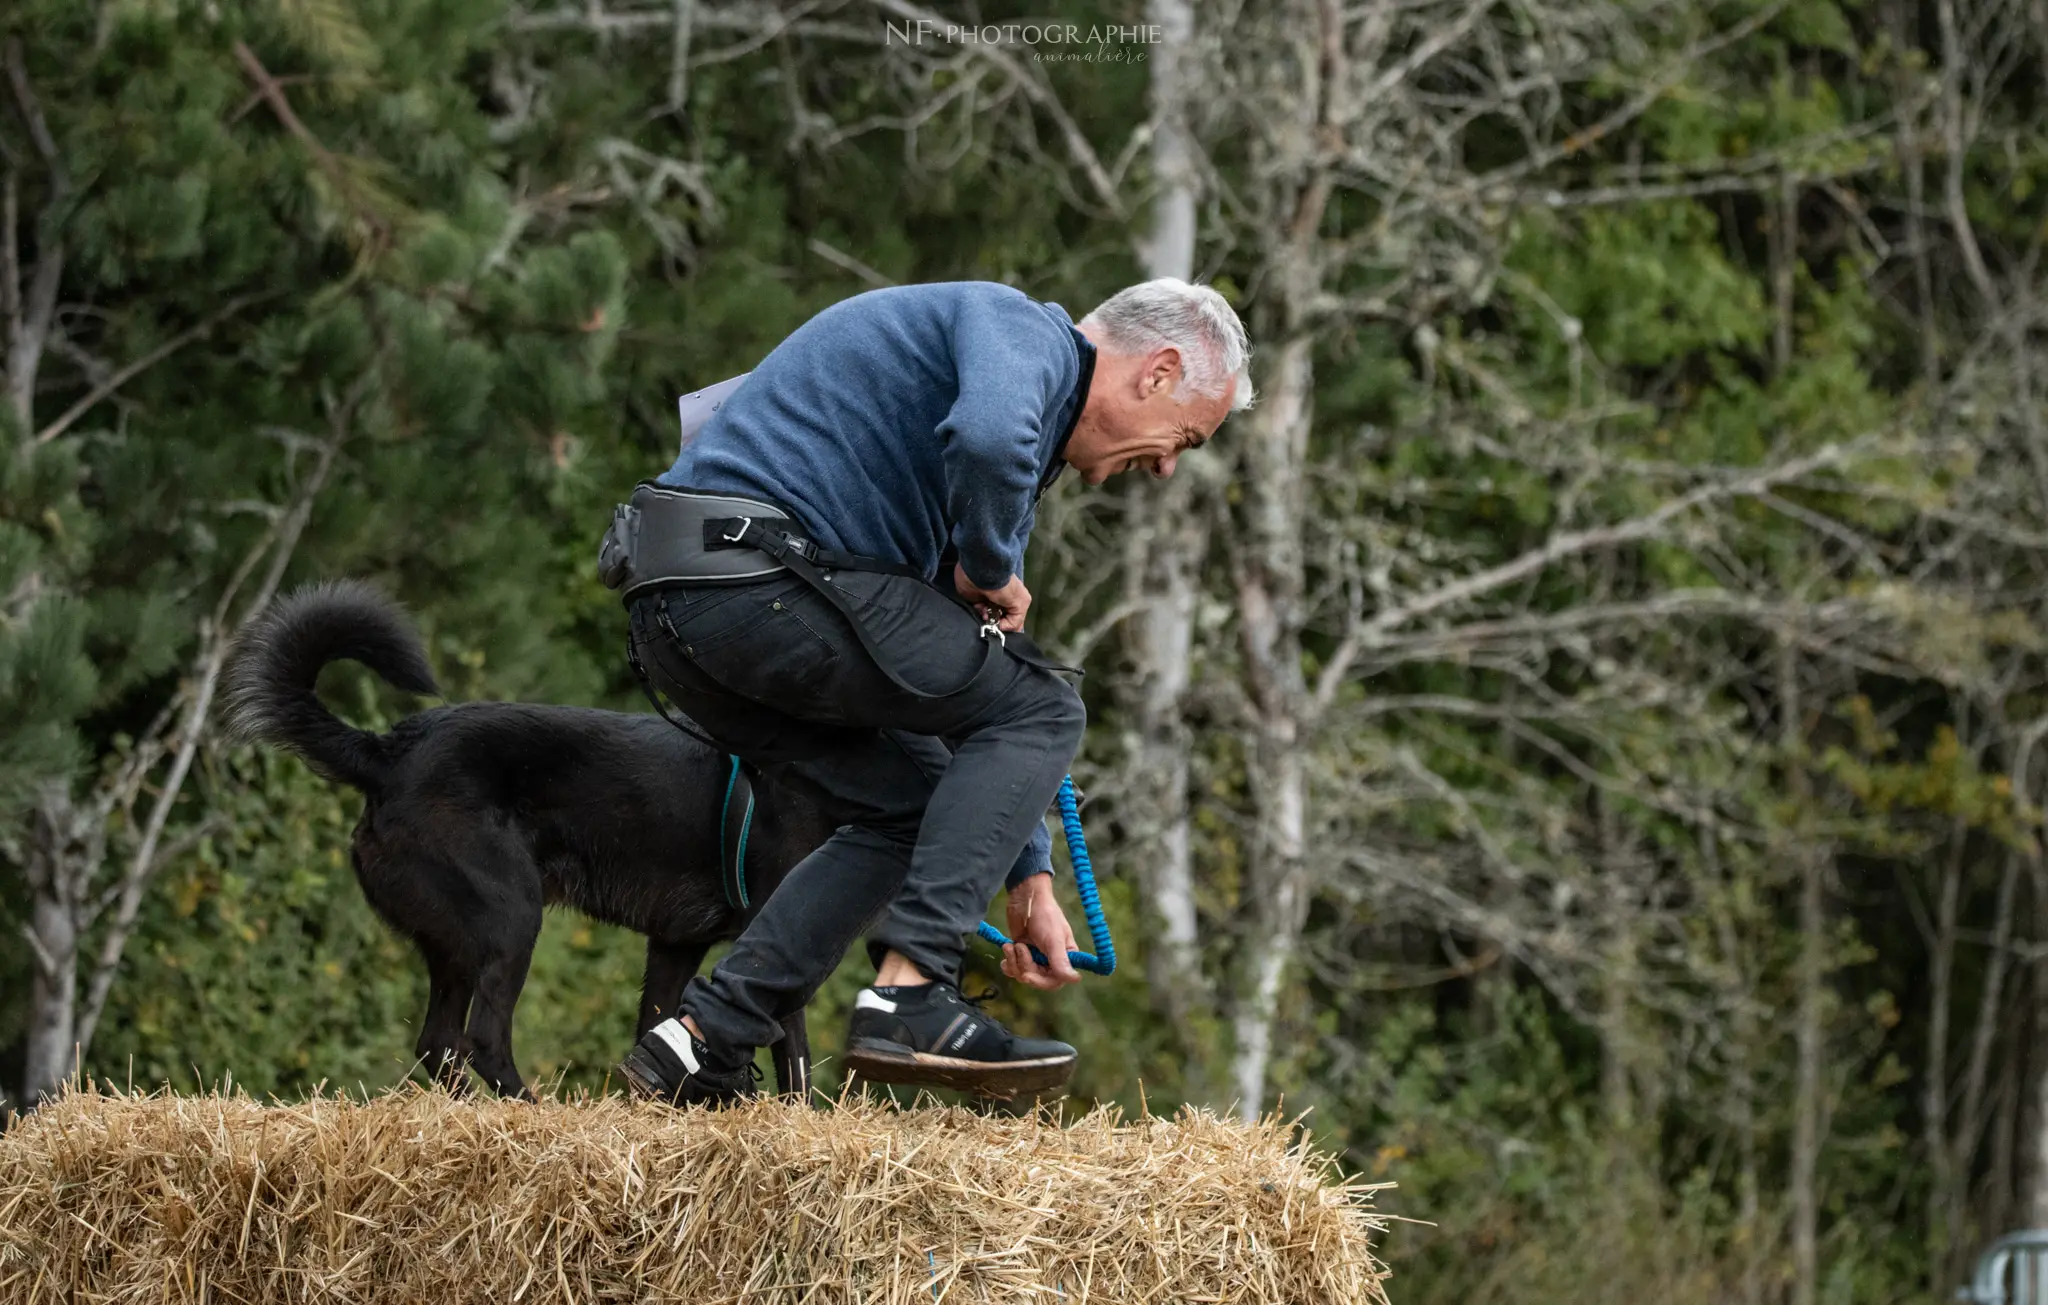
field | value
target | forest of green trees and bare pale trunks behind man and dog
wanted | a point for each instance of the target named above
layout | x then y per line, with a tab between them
1576	739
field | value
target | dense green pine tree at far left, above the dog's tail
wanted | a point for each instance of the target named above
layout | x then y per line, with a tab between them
271	298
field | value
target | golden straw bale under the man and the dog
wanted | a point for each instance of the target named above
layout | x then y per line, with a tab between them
417	1197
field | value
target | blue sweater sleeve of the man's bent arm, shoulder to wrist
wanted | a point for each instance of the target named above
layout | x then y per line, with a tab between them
1015	368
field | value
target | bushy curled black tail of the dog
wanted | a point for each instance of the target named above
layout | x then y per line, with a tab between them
278	661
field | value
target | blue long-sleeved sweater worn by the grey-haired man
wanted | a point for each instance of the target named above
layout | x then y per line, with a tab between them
916	425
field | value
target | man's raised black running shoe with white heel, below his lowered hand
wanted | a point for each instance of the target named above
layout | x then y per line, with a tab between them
933	1038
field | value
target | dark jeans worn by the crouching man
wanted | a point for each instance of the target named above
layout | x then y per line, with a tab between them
937	798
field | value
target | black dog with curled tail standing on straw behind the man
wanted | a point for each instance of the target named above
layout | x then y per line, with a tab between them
484	814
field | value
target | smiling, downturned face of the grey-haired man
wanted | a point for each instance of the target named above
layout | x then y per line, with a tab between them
1134	419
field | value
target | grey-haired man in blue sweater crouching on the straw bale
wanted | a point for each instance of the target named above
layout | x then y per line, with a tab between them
892	435
